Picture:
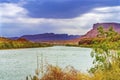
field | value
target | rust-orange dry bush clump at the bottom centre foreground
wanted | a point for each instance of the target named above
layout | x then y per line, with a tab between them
69	73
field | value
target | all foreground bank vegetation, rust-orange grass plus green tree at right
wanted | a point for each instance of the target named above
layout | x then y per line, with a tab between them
106	55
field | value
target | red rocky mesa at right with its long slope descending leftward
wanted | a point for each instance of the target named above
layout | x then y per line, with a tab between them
93	32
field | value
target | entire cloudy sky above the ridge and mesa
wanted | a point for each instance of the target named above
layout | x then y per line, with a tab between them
26	17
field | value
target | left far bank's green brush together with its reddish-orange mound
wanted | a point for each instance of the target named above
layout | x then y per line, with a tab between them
6	43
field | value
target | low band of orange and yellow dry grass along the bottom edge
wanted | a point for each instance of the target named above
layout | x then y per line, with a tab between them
69	73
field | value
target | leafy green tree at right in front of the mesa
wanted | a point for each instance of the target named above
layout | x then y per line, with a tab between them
105	53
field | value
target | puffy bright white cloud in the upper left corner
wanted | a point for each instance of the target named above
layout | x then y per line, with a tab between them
10	12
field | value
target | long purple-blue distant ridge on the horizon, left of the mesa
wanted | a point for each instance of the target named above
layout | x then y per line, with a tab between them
48	37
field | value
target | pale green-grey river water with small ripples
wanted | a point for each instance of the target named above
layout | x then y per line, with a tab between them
18	63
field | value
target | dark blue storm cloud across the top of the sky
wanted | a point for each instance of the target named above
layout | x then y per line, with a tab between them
65	8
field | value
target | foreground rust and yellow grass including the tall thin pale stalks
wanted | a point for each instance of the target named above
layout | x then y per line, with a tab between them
51	72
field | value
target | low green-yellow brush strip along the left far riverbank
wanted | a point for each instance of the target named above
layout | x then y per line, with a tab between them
22	45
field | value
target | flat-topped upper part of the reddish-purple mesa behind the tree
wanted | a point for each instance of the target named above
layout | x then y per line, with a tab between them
93	32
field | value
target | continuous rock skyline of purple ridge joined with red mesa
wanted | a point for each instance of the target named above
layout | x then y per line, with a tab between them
72	39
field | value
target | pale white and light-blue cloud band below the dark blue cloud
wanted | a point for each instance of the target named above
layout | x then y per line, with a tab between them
15	19
